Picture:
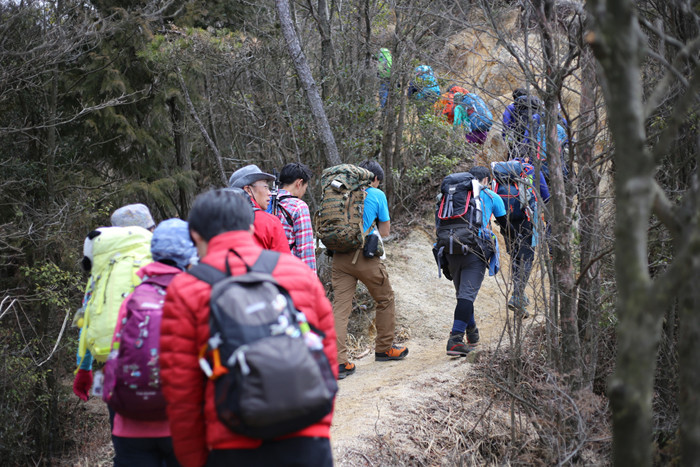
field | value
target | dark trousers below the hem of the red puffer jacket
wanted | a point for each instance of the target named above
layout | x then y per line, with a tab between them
292	452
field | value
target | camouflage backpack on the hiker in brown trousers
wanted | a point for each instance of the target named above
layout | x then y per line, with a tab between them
339	219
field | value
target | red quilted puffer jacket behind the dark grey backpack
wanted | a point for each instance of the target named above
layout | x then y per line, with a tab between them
194	425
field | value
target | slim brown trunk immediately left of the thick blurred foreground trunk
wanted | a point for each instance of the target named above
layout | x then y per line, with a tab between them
589	226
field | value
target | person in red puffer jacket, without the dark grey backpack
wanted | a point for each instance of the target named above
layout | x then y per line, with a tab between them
220	221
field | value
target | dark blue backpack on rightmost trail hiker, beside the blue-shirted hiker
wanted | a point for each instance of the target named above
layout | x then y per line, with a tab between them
510	183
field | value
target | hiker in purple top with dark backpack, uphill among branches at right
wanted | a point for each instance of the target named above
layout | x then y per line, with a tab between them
520	120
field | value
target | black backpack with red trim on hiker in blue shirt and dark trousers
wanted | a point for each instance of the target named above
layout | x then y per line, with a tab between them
458	216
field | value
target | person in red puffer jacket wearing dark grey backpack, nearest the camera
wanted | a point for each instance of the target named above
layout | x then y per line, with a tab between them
221	224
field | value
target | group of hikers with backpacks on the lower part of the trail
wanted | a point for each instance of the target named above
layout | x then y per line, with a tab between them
216	341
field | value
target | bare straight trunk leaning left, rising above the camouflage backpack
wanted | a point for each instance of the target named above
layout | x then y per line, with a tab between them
307	80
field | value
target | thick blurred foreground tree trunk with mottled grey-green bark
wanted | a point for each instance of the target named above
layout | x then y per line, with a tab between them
616	44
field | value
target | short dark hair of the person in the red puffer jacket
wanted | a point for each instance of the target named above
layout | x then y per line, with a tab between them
219	211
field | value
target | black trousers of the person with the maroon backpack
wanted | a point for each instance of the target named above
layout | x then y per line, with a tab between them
144	452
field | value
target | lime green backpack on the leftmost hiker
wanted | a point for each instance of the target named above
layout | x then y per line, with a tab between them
118	252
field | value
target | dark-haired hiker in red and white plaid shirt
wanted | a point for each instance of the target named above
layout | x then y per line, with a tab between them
294	213
